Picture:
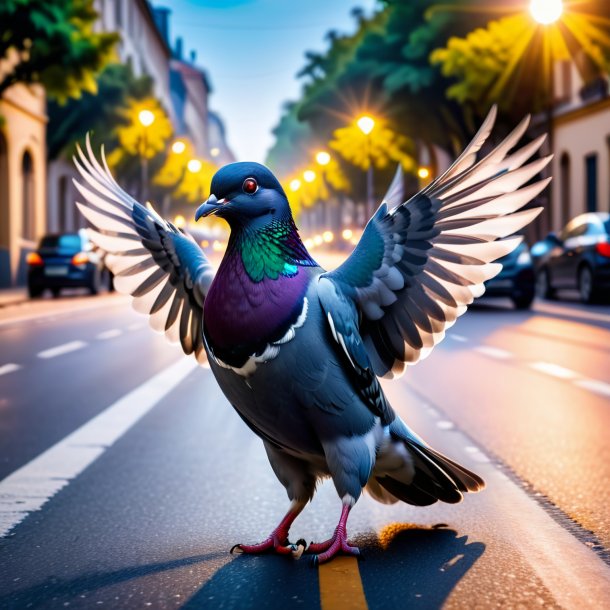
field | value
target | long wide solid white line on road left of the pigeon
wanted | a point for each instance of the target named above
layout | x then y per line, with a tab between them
29	488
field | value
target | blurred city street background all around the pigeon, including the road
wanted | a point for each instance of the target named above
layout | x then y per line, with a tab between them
333	96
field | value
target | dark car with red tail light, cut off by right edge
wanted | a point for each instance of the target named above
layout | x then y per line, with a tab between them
579	257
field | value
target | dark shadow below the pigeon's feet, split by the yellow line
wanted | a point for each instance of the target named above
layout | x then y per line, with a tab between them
404	566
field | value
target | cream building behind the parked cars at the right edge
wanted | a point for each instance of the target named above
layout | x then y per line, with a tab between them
581	145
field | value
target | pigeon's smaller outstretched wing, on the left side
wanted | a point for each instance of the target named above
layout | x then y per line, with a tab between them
162	268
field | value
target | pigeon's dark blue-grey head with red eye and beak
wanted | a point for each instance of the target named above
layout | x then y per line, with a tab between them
245	194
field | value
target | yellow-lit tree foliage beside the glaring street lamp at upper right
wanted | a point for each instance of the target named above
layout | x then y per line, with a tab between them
508	61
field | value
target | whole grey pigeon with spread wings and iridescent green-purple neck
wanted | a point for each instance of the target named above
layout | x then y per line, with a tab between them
298	351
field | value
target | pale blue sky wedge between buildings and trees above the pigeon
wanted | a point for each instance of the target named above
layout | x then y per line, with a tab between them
252	51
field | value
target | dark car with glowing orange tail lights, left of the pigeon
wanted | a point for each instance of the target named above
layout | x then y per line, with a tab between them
64	261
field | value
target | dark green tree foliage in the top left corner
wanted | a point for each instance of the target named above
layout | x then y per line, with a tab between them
53	44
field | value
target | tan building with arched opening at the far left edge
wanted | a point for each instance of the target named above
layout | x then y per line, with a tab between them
22	176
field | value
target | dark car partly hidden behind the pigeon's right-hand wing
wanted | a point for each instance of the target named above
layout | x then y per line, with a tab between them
516	280
